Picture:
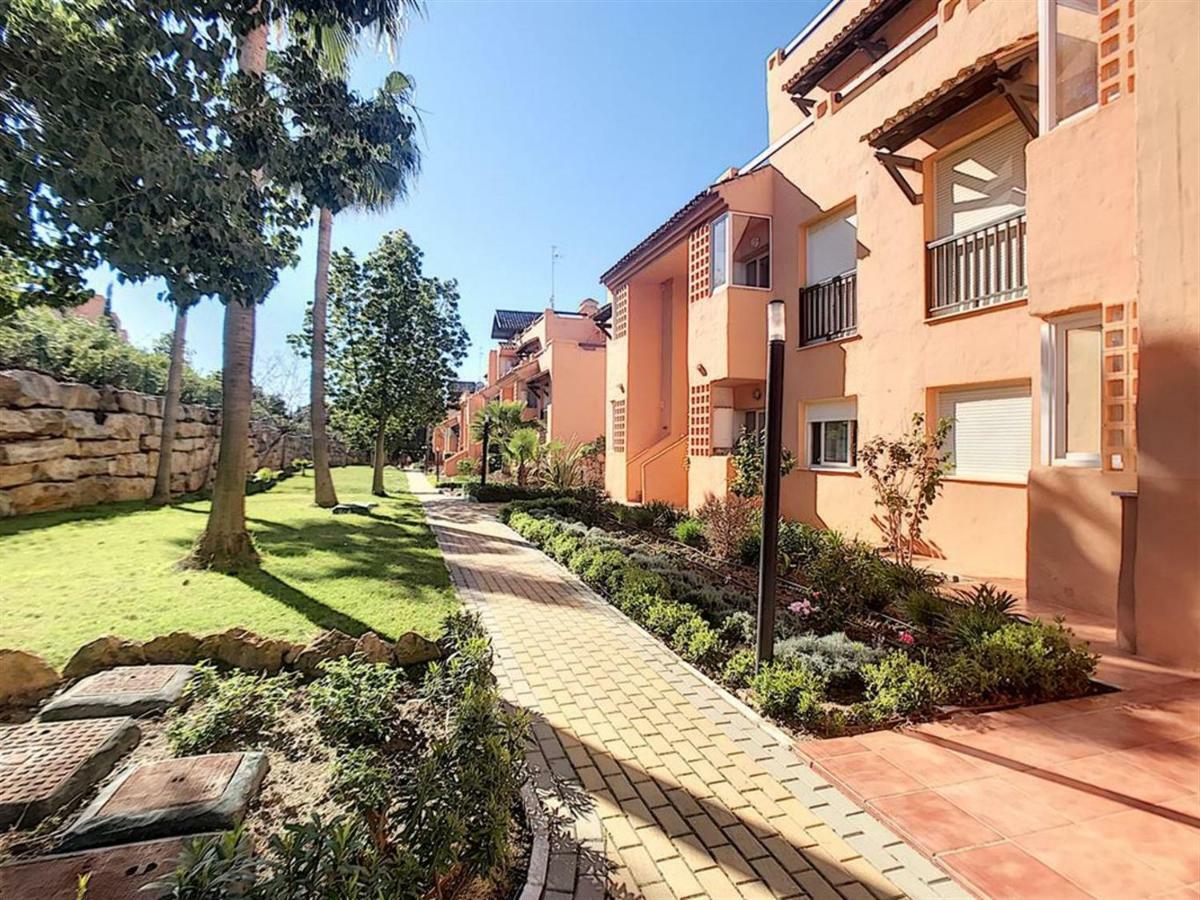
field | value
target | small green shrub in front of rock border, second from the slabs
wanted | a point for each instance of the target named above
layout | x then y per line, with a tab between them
357	703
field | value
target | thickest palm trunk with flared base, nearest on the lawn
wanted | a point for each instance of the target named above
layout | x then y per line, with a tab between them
226	545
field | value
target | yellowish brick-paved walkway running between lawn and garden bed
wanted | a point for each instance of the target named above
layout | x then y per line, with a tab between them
663	787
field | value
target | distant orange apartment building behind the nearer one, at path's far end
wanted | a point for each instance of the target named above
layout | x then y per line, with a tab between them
538	356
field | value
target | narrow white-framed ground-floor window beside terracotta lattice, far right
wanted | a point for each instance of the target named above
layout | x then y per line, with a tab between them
1073	383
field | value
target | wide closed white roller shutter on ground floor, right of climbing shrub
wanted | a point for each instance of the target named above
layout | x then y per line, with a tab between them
992	433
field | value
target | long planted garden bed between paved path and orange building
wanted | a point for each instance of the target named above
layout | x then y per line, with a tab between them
861	644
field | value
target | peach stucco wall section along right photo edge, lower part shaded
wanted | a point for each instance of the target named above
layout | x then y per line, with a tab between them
1168	571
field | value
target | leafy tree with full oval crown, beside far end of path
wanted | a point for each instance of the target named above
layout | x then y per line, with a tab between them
395	340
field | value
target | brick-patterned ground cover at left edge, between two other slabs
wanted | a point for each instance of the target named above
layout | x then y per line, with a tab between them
44	766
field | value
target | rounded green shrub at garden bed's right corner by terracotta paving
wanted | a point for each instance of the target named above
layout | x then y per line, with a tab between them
1022	662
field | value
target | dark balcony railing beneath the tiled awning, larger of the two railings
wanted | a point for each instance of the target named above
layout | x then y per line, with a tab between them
980	268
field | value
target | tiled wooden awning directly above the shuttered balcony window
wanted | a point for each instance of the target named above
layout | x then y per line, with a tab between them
994	73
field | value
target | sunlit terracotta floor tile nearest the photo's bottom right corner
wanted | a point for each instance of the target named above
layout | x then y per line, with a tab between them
1100	867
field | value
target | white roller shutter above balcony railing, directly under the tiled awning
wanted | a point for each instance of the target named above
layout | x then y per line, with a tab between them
982	183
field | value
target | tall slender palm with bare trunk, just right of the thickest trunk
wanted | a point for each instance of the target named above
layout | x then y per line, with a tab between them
349	153
